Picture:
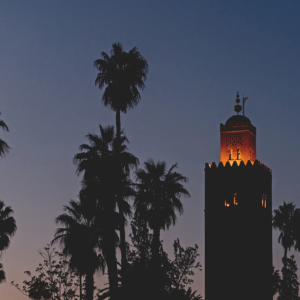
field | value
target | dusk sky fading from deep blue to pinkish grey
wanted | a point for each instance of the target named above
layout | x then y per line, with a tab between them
199	53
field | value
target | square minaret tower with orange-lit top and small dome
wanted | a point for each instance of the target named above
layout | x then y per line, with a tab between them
238	217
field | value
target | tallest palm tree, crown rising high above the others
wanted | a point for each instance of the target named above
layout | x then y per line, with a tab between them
123	75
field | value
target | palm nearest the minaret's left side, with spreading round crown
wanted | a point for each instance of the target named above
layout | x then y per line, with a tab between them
158	199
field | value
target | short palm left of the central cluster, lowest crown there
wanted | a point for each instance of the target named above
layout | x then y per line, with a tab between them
80	238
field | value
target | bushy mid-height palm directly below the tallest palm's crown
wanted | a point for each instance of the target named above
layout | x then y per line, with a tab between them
97	162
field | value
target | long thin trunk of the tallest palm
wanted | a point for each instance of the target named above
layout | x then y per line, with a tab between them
119	196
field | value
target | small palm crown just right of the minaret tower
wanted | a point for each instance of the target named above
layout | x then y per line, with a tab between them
284	219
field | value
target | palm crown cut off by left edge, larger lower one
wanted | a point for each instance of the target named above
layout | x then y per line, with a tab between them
8	226
